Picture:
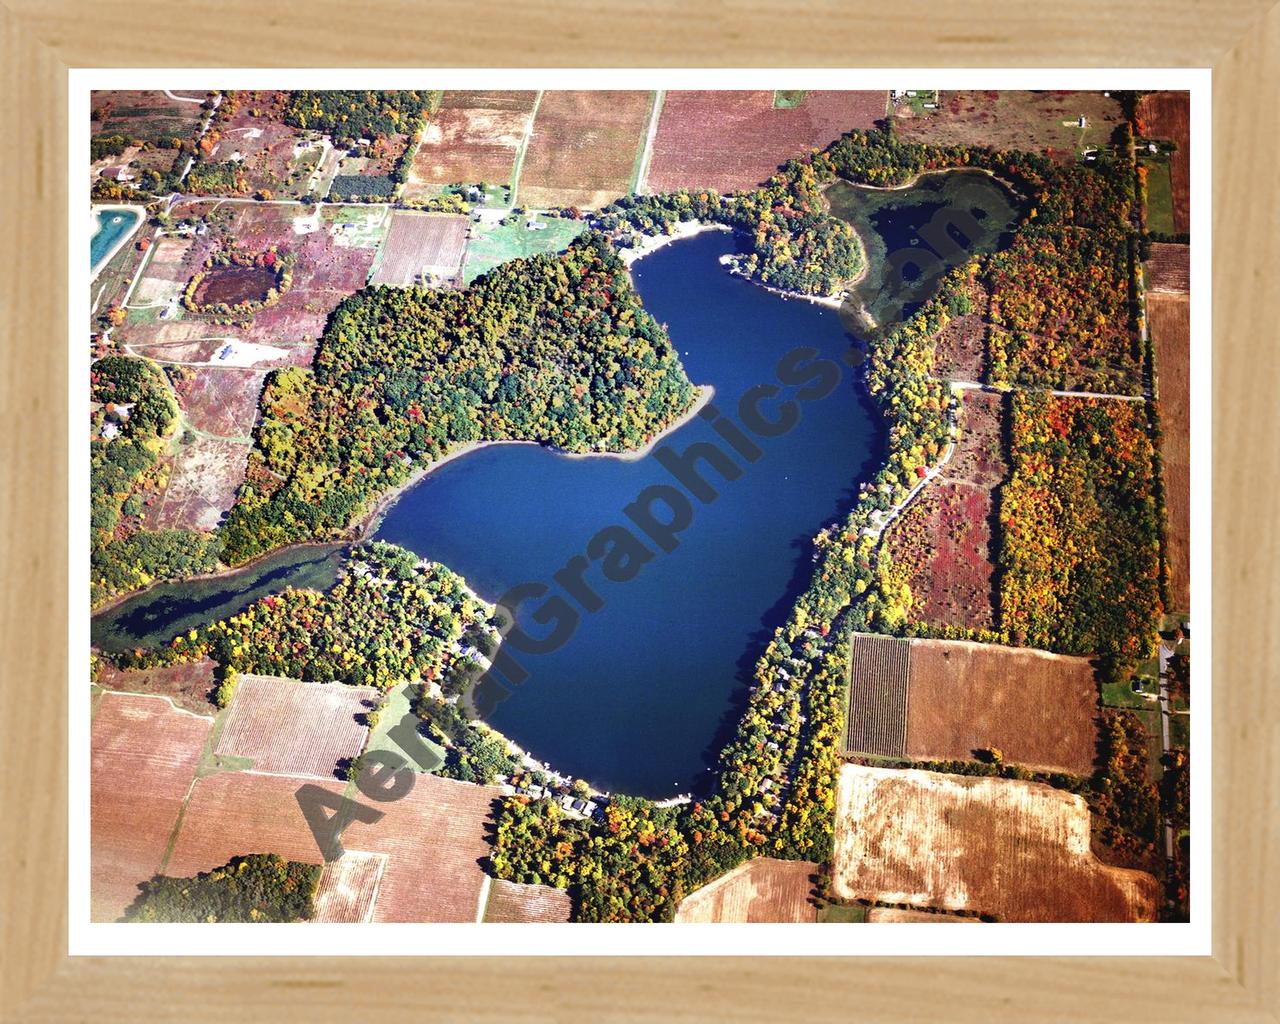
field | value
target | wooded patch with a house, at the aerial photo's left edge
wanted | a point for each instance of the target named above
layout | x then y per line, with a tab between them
135	404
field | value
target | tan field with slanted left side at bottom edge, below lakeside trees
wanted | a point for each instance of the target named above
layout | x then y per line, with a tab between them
762	892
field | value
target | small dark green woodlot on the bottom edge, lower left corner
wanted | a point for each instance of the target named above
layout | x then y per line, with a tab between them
254	889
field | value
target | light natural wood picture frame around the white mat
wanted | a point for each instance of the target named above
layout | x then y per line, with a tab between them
42	40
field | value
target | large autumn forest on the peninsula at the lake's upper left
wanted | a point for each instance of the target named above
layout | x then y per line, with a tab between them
550	349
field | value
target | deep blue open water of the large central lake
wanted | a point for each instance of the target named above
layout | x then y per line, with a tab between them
648	688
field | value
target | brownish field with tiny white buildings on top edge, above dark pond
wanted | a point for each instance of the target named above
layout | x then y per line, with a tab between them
1040	122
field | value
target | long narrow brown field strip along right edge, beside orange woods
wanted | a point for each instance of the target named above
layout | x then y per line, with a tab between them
1169	318
